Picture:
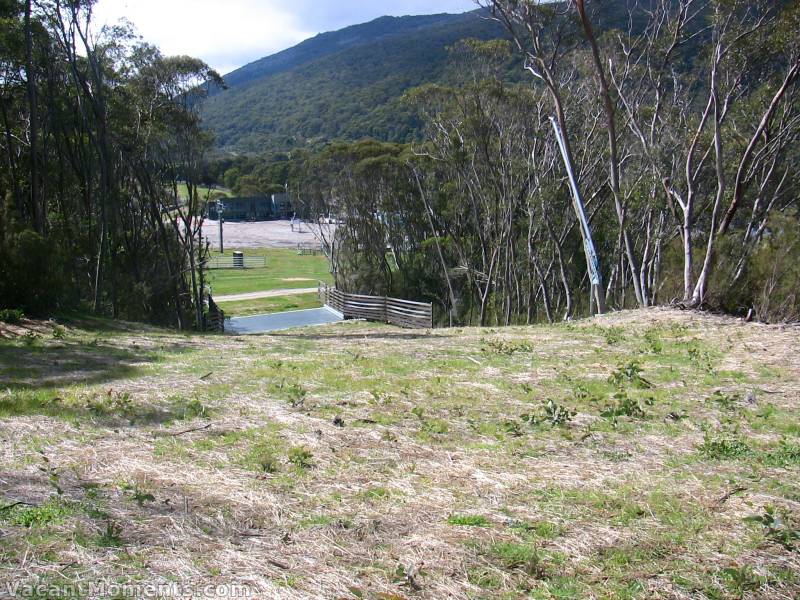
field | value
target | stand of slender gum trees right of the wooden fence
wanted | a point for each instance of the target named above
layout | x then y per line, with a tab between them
683	132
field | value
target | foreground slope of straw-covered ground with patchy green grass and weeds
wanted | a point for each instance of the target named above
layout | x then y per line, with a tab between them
647	454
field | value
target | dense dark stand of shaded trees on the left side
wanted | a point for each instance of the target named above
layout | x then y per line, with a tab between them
98	130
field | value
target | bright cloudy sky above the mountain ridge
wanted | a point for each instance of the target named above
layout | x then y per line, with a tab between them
228	34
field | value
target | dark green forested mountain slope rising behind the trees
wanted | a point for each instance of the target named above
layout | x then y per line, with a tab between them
342	85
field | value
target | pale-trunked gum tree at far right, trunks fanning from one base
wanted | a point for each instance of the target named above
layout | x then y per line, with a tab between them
709	89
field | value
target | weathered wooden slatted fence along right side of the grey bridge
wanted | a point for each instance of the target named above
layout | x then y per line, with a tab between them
404	313
